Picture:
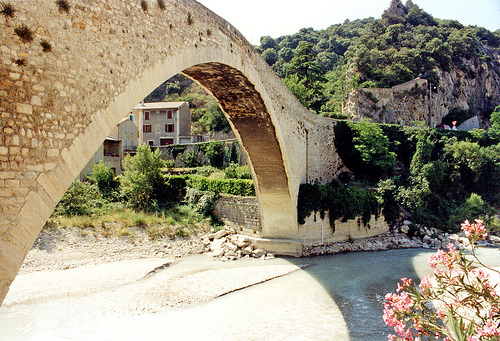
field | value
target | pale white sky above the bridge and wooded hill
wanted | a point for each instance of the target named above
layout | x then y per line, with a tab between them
257	18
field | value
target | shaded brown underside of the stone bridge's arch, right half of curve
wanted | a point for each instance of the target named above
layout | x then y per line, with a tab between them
250	118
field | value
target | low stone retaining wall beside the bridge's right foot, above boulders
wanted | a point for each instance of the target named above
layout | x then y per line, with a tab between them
240	213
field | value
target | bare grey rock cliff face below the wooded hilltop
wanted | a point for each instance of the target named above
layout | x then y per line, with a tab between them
472	90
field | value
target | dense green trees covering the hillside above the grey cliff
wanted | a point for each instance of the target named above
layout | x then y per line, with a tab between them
322	66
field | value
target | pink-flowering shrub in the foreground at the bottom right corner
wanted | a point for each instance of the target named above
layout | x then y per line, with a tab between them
457	303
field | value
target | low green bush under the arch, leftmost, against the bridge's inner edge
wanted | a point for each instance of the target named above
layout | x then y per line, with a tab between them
82	198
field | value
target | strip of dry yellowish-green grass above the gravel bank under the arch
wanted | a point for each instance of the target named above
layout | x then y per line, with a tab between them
178	221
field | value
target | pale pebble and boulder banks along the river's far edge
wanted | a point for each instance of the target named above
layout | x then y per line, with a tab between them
59	249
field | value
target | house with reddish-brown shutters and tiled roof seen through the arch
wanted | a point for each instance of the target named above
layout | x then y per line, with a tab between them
163	123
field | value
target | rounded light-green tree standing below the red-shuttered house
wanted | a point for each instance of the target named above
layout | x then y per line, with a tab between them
142	181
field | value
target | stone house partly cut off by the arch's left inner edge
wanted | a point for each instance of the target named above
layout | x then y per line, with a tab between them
121	141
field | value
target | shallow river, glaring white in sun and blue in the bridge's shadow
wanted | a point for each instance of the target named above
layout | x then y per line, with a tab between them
339	297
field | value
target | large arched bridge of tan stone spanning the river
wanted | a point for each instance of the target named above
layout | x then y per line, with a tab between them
68	77
